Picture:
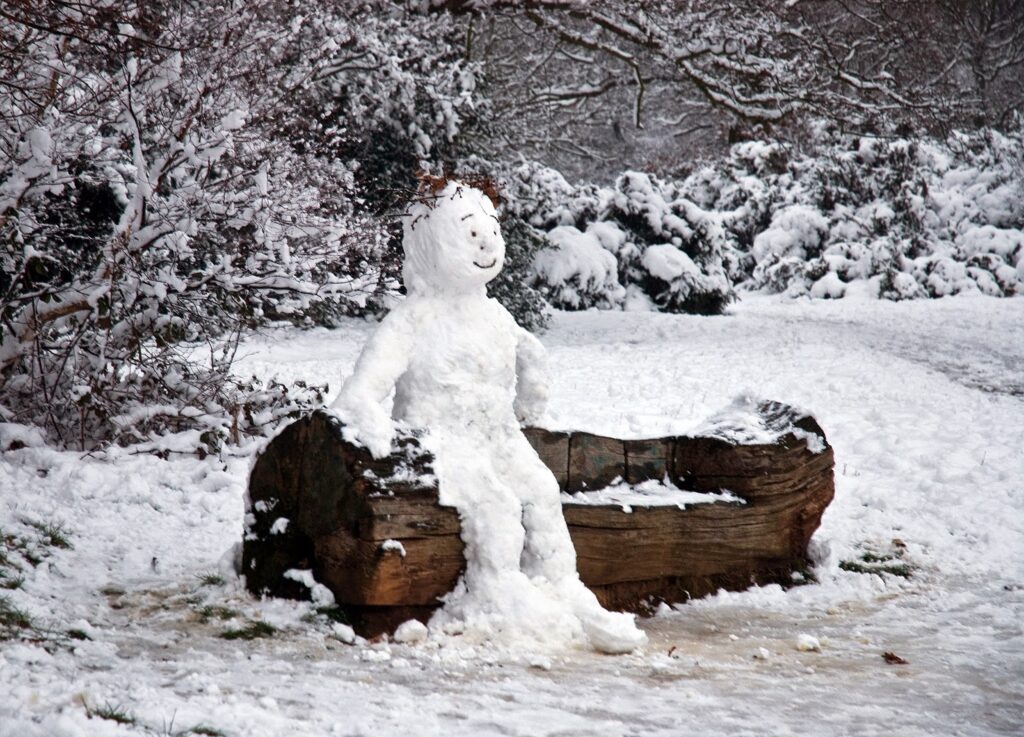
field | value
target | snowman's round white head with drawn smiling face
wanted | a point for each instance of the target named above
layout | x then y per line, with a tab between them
453	242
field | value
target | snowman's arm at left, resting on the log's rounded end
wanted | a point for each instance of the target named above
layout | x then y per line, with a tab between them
385	360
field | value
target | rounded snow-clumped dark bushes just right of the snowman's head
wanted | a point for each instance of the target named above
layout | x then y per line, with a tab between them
603	240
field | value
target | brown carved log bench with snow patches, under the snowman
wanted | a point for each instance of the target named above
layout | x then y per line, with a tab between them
373	533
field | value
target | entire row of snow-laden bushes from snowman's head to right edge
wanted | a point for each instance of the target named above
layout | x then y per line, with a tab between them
893	219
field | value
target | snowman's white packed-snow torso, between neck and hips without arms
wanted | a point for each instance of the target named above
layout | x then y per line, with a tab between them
461	375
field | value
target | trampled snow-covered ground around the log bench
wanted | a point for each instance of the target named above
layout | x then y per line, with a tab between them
924	405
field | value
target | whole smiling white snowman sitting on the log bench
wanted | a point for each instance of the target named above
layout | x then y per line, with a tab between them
460	367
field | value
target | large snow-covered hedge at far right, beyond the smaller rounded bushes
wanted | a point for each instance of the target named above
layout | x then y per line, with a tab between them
907	218
